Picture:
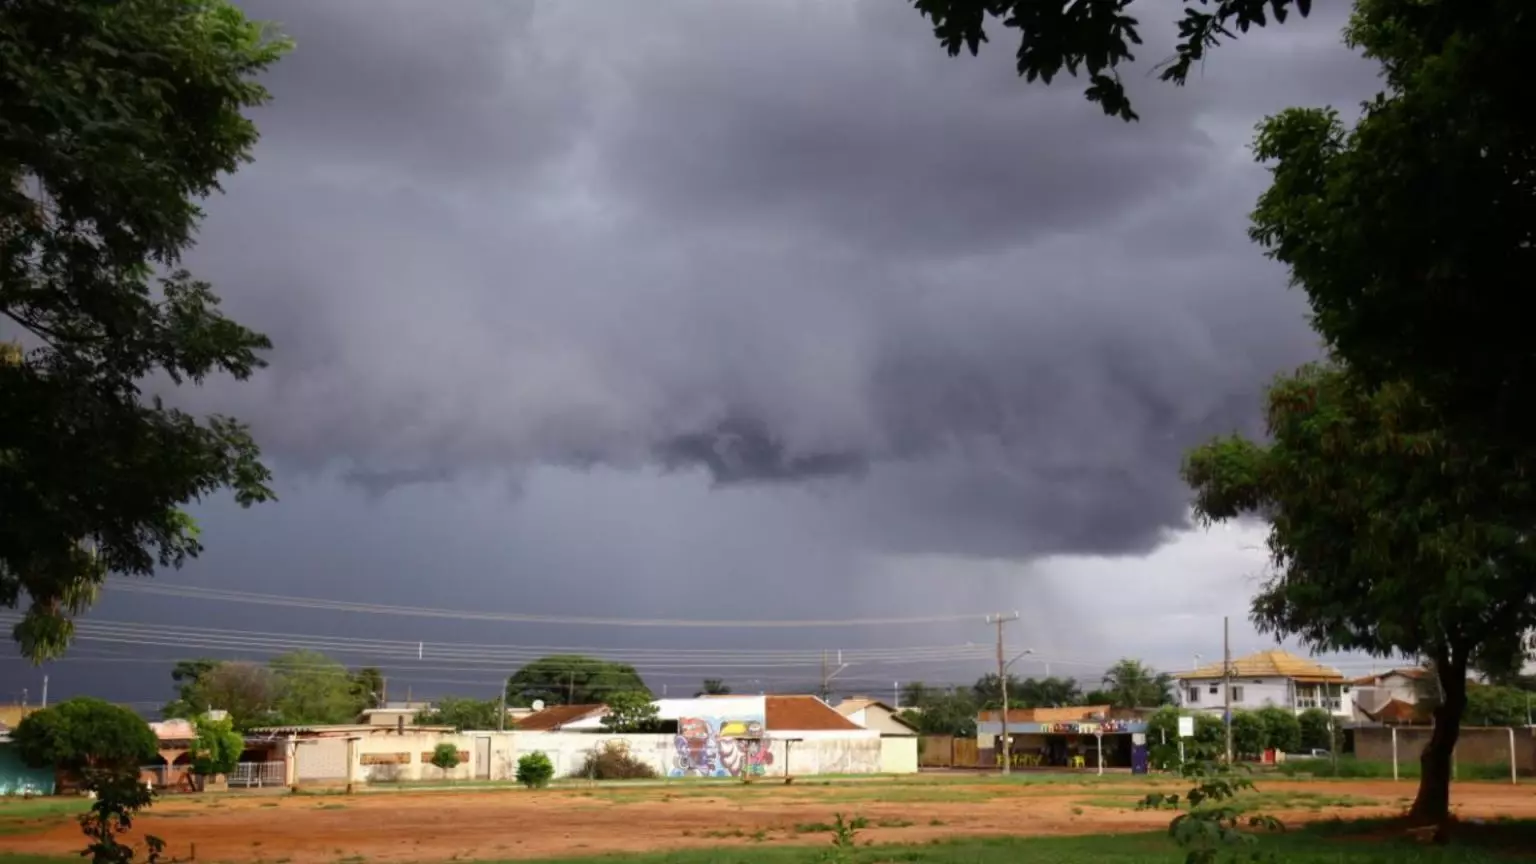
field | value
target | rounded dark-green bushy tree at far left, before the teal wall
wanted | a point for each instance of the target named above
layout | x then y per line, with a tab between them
85	734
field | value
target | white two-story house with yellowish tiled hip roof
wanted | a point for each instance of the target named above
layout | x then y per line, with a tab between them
1268	679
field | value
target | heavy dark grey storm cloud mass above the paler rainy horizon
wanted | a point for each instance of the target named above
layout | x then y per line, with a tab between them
772	241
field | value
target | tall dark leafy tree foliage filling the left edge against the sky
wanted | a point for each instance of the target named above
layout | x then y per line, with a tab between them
119	119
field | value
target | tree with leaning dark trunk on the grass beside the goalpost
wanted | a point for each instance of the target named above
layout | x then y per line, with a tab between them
1386	537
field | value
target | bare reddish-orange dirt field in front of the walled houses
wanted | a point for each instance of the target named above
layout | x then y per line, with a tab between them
511	823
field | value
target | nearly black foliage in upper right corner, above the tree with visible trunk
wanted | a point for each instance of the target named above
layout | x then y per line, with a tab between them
1405	231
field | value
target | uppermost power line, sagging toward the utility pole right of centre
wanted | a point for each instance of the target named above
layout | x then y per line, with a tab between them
191	593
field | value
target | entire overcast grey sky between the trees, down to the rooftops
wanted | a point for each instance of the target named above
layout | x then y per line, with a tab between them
750	310
